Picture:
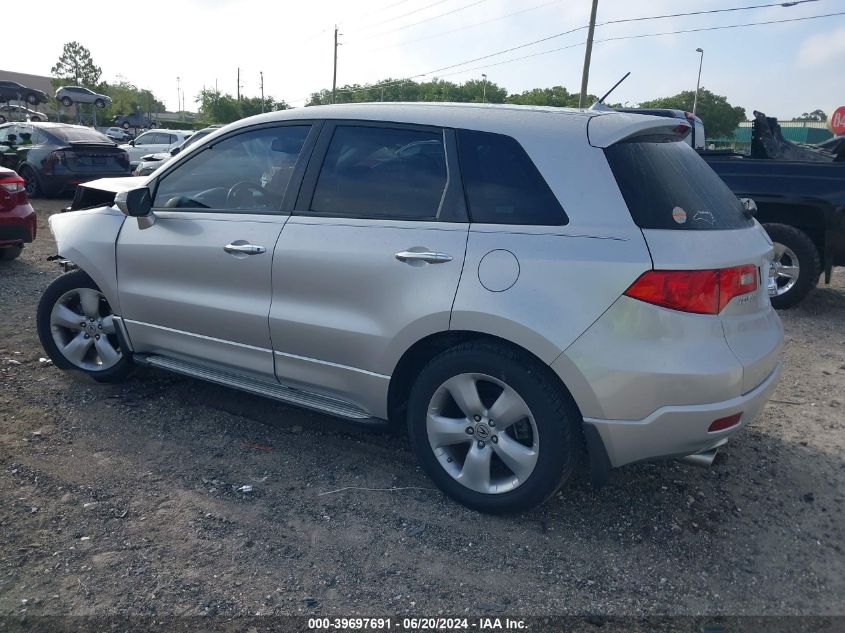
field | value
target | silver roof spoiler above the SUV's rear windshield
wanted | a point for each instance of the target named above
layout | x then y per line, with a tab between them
609	129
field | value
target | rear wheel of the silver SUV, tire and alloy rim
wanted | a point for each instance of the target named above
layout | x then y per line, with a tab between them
543	431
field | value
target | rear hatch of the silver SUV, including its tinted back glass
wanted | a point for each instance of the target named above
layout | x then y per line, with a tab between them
692	222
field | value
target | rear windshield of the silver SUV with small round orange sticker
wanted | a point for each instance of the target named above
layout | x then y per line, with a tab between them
669	186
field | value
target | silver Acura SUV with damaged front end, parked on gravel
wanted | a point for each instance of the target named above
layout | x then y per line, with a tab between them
514	284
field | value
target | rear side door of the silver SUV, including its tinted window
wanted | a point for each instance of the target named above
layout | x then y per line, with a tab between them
370	260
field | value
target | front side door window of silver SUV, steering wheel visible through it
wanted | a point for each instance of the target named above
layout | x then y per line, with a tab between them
246	172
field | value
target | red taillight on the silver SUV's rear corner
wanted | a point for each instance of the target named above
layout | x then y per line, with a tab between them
696	291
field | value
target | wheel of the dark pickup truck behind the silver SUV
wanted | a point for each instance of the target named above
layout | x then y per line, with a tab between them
796	264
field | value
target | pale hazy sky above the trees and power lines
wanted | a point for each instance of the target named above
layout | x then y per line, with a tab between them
781	69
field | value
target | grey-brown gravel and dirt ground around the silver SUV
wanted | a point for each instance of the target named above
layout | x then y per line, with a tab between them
123	499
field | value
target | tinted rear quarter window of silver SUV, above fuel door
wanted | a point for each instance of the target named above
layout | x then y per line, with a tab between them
502	184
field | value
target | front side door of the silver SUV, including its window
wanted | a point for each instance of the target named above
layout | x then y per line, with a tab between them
196	284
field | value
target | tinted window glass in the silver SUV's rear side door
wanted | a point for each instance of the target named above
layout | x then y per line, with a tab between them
386	173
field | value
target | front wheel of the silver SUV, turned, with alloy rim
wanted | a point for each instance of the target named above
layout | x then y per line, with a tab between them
93	348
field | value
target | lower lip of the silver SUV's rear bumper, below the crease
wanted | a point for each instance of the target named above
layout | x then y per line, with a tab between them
676	431
